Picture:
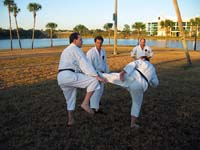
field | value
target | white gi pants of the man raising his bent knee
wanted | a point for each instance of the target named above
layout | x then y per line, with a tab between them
69	82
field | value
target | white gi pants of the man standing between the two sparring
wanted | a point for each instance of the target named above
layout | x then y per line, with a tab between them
96	97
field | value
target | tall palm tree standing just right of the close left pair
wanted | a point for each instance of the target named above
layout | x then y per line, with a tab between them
34	7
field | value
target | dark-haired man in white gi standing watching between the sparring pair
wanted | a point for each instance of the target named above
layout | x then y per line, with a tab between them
97	57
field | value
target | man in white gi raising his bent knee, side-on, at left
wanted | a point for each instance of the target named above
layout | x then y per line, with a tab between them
75	71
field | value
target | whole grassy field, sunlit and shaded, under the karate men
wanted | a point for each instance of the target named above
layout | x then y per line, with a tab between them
33	114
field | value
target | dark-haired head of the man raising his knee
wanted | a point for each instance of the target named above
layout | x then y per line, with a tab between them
75	38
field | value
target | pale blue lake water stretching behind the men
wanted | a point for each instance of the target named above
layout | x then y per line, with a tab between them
39	43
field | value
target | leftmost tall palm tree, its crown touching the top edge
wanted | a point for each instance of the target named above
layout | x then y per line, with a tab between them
9	4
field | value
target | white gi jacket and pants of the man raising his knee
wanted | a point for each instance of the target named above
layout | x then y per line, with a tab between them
73	57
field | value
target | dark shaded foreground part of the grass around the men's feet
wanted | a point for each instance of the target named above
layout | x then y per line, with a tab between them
34	117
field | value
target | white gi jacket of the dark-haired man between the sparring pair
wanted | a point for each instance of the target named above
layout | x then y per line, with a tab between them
98	60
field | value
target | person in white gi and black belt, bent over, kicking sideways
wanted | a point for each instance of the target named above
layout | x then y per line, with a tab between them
136	77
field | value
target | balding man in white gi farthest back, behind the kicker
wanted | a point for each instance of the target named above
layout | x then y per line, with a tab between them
142	49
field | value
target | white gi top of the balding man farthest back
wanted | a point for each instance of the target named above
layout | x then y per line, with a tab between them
137	52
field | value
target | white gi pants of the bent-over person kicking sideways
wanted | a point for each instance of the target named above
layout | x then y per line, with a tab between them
133	85
